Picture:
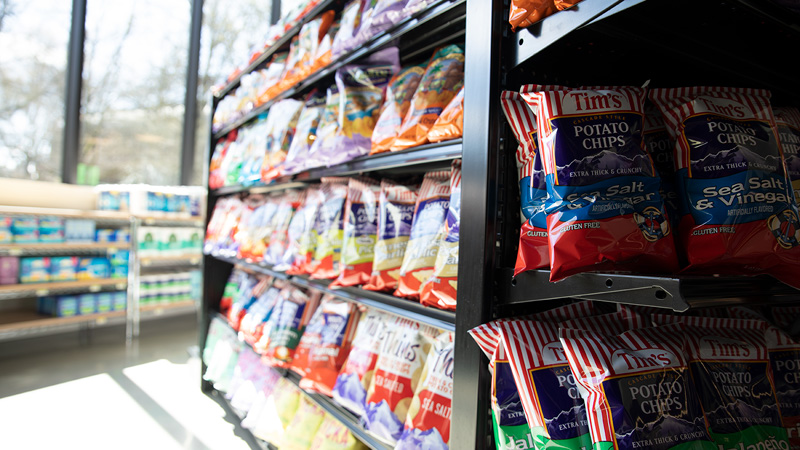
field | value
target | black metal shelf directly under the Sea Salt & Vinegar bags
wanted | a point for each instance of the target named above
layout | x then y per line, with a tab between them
678	294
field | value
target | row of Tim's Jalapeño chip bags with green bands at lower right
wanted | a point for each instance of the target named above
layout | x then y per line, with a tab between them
623	380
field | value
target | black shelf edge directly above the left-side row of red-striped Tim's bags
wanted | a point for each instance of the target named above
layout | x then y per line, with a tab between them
410	159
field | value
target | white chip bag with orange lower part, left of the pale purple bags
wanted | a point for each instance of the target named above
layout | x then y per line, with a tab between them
286	113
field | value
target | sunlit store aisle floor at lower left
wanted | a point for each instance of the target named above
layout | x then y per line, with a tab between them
72	393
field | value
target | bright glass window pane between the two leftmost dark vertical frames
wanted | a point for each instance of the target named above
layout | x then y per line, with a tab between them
134	80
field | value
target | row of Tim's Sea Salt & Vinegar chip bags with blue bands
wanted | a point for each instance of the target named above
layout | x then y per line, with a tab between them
615	184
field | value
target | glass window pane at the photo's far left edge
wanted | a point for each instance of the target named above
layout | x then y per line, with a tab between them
34	37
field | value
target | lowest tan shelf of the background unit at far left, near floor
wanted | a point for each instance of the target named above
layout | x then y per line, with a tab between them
23	324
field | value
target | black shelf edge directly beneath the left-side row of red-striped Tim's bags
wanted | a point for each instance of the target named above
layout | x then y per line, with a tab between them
411	309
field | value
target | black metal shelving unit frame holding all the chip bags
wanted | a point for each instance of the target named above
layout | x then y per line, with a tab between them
598	42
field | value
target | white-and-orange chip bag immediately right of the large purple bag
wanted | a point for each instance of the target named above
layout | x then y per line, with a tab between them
394	109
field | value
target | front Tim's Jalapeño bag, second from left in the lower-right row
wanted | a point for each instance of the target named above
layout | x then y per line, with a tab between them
637	388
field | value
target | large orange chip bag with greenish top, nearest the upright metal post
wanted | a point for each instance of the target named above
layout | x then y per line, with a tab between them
443	77
